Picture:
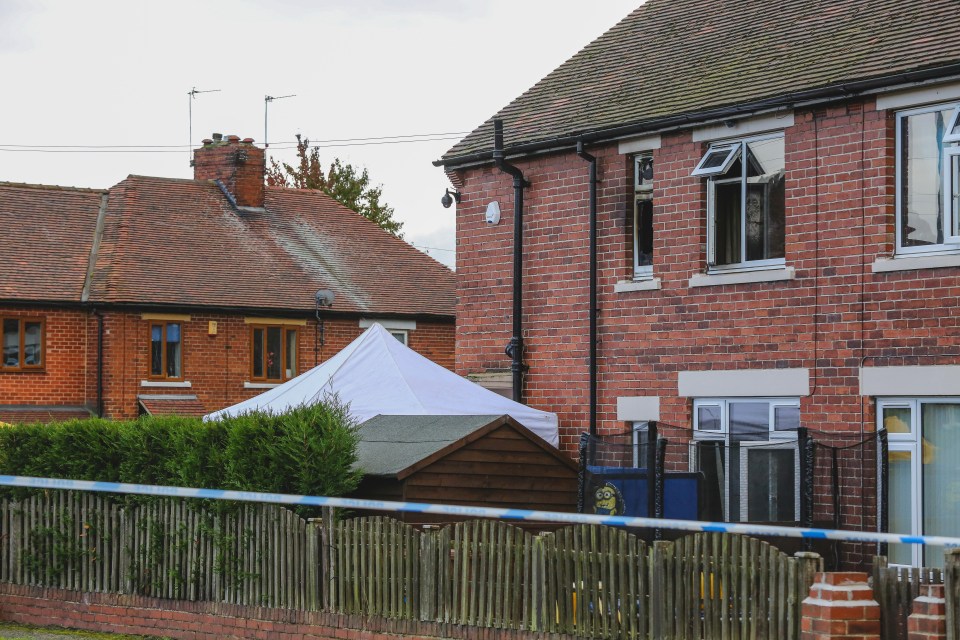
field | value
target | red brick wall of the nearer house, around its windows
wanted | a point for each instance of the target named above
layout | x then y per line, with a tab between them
834	317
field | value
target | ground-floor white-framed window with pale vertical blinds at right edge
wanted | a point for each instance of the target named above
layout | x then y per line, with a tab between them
923	486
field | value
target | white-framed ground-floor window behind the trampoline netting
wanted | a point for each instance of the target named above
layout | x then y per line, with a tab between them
748	447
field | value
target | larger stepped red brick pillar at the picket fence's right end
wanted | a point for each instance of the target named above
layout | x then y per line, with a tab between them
840	605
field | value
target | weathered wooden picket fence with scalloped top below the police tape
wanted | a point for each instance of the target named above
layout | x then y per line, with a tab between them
588	581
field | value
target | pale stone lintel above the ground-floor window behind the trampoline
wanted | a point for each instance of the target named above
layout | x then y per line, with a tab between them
752	383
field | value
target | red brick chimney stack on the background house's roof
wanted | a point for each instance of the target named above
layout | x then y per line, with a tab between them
238	164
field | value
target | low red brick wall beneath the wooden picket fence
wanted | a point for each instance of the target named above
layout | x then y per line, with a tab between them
200	620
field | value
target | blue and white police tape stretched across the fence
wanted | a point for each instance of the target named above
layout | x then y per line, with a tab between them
474	512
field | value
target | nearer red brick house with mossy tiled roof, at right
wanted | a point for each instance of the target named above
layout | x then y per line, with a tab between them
777	239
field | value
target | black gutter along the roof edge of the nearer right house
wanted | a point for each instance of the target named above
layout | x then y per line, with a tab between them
823	94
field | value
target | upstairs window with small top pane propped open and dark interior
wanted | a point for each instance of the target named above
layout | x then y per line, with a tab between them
745	203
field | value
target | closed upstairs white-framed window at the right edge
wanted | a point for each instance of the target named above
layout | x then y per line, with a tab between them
928	180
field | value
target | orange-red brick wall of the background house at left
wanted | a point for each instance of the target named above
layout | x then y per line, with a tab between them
215	365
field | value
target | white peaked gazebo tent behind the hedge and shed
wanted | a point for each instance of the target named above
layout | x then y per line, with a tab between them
377	375
